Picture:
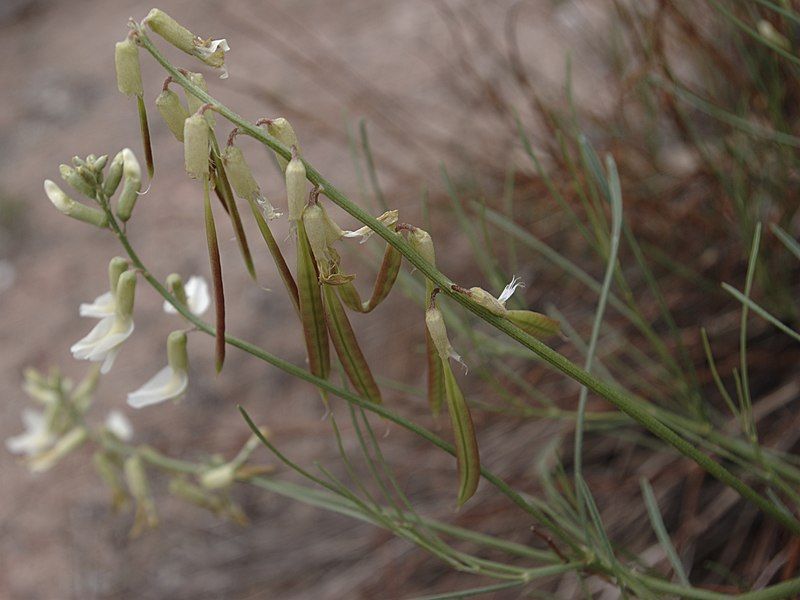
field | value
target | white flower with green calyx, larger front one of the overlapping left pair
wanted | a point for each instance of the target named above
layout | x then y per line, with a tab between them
102	344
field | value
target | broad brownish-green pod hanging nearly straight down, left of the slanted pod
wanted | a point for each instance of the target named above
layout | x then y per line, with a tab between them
312	312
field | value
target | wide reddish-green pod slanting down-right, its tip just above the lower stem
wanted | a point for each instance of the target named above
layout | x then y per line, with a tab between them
347	348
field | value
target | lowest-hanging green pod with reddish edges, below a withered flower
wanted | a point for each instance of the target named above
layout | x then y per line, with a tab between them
467	455
